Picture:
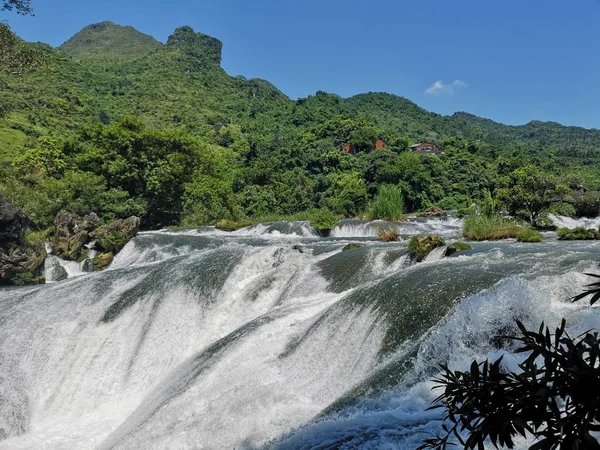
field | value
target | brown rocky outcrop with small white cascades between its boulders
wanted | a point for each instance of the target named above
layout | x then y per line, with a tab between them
75	235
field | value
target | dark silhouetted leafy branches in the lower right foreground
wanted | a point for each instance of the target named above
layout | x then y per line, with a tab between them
553	397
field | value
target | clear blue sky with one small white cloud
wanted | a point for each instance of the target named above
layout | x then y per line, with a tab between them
507	60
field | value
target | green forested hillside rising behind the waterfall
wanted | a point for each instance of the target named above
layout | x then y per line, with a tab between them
116	122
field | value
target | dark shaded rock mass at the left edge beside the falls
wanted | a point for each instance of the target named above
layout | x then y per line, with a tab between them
22	252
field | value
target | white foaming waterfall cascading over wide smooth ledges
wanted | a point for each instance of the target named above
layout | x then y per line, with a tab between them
269	337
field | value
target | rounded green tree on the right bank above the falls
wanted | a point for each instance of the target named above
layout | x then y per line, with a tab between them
531	190
